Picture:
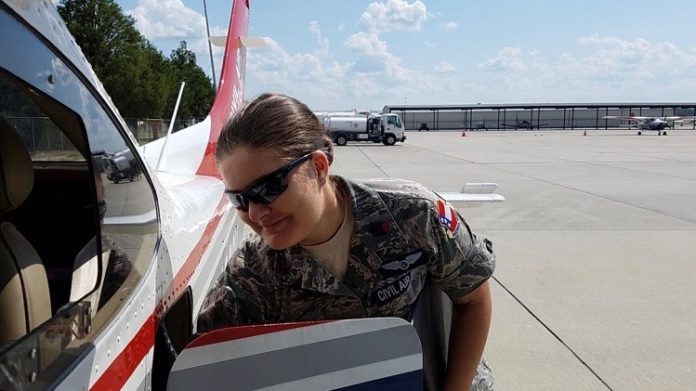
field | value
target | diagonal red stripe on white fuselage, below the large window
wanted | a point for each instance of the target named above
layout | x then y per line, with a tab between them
123	366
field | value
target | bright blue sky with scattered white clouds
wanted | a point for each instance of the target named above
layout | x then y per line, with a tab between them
337	55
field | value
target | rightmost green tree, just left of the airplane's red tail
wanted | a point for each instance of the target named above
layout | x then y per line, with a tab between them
198	93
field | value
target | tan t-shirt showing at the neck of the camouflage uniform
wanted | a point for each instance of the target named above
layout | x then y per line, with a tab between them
333	254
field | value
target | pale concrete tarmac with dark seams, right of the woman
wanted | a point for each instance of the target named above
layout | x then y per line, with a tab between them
596	242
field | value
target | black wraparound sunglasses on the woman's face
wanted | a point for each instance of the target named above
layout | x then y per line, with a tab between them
267	188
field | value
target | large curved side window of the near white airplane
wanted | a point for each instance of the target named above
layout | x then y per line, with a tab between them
90	215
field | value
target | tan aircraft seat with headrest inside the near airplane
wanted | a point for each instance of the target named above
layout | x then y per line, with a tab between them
25	301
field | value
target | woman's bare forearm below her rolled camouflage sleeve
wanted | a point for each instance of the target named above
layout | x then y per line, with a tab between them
471	319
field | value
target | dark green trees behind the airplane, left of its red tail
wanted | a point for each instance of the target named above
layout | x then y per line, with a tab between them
141	80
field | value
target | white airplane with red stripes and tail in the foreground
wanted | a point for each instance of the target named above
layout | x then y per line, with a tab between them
107	247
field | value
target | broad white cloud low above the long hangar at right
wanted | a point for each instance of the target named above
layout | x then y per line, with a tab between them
614	69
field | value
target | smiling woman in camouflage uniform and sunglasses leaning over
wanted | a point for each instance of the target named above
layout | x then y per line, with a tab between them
332	248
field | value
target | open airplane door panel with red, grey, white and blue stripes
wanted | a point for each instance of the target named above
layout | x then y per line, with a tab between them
353	354
